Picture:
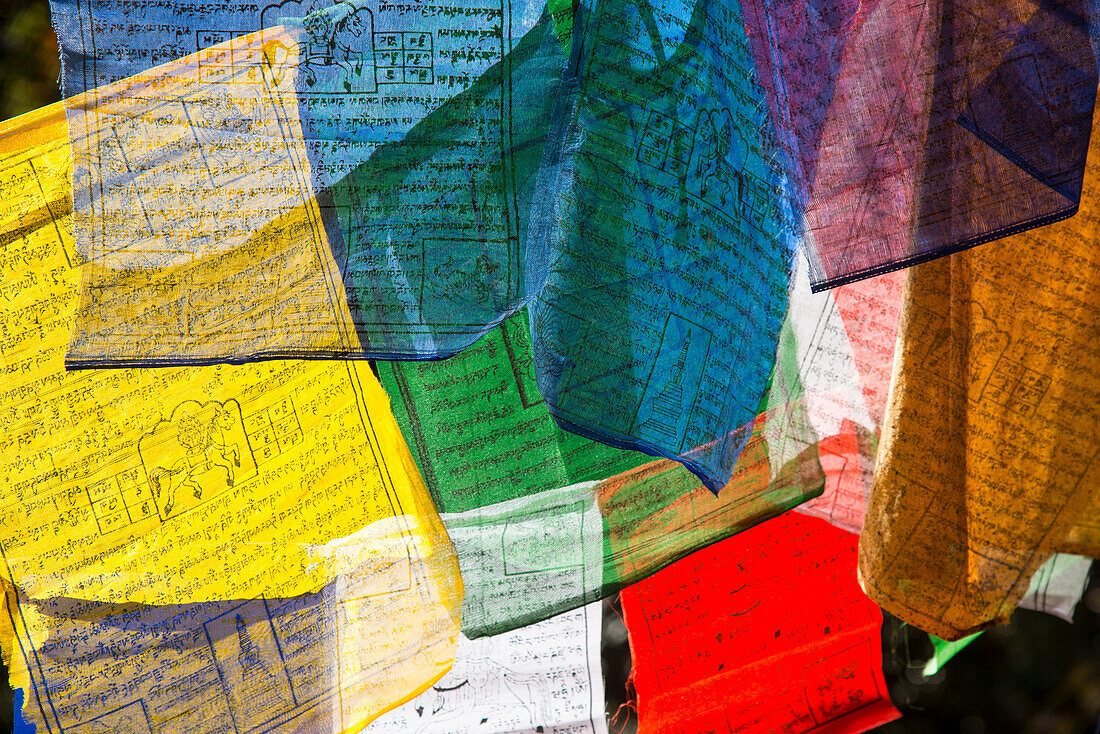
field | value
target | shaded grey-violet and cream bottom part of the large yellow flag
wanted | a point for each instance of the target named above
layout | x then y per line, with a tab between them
325	663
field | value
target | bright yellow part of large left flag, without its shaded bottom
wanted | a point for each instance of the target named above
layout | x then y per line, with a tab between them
183	485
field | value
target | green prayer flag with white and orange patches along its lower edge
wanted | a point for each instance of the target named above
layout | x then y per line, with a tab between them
545	521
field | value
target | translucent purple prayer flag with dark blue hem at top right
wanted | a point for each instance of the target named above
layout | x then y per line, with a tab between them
911	132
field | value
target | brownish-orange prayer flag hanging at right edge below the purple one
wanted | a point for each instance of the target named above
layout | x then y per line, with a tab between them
987	464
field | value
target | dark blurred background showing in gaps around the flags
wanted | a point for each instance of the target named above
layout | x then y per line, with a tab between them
1037	676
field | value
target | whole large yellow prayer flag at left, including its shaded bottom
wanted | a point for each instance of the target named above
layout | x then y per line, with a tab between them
199	547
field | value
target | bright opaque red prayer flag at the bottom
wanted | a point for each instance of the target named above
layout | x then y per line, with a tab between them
767	632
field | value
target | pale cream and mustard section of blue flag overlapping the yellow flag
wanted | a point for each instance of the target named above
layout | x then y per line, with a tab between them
202	231
